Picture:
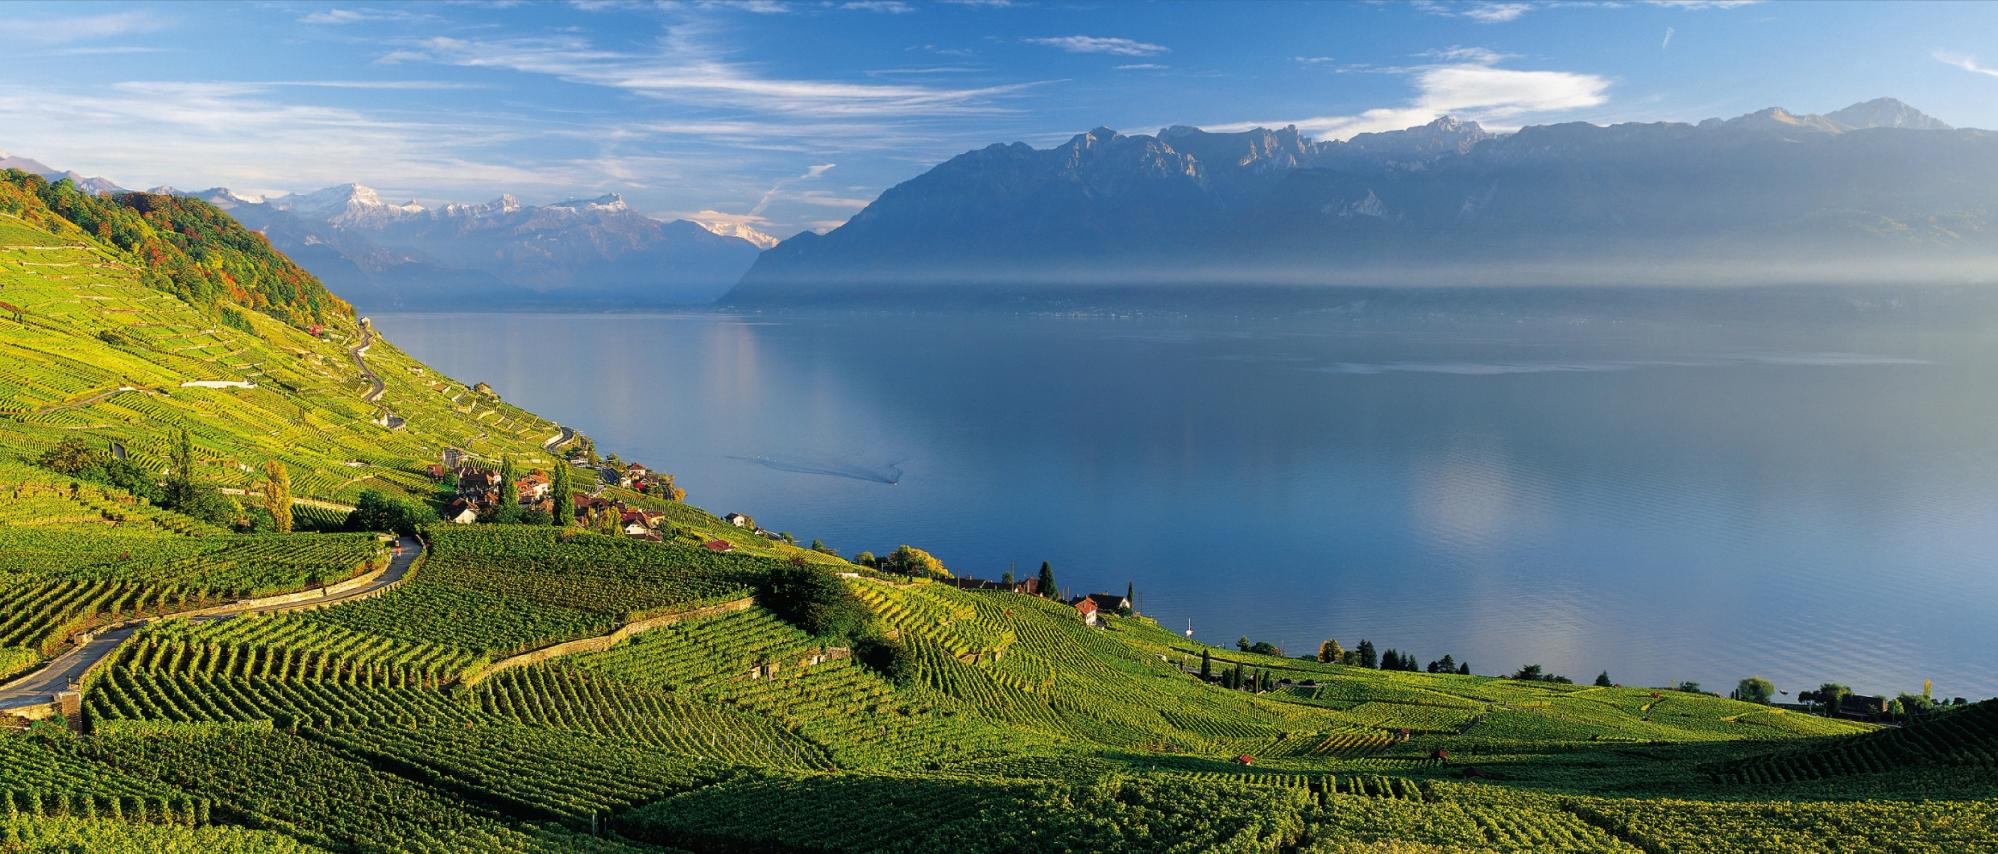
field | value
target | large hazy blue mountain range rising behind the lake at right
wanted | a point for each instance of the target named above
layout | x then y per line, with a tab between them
1769	195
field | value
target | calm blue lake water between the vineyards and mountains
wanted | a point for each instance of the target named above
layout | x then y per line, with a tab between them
1659	501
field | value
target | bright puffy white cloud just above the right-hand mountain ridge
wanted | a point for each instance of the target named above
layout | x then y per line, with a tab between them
1468	91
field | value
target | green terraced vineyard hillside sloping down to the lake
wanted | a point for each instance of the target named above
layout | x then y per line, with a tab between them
560	689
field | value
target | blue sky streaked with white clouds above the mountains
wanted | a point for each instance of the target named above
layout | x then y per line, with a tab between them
796	115
